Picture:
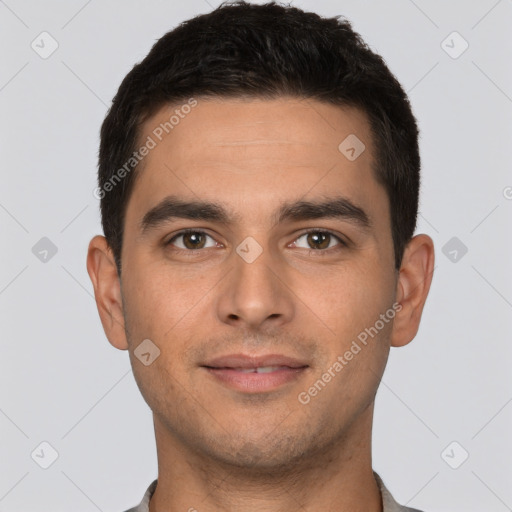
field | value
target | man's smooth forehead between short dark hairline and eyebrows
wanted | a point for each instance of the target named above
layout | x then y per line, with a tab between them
255	154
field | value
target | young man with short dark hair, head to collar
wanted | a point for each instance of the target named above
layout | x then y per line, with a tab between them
259	176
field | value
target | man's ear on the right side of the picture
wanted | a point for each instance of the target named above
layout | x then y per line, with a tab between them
412	288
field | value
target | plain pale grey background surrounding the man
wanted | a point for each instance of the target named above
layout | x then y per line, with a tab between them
63	383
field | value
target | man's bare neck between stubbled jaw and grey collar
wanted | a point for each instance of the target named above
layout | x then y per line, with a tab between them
337	478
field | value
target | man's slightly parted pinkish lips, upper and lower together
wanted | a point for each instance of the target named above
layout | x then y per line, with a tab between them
255	374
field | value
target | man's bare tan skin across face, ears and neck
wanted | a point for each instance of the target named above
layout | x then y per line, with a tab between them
220	449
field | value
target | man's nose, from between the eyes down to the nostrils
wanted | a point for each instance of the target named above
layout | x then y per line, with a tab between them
254	292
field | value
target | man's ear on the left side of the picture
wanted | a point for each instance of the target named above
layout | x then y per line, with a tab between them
107	290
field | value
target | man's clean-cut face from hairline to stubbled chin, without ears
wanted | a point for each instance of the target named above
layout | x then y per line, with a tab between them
285	268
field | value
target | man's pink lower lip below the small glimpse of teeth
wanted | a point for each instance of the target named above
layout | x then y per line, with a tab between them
256	382
